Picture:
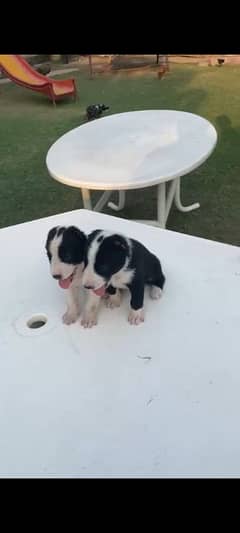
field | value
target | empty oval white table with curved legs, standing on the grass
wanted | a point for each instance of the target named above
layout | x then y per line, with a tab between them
132	151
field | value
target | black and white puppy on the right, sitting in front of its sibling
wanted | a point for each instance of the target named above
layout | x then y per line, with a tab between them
116	262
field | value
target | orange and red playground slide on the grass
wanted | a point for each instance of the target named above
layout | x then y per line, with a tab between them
19	71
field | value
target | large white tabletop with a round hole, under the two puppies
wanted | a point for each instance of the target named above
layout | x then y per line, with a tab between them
159	399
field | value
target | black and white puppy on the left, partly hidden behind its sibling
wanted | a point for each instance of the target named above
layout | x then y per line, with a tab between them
66	248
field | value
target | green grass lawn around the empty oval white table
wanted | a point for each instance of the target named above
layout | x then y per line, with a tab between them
29	124
